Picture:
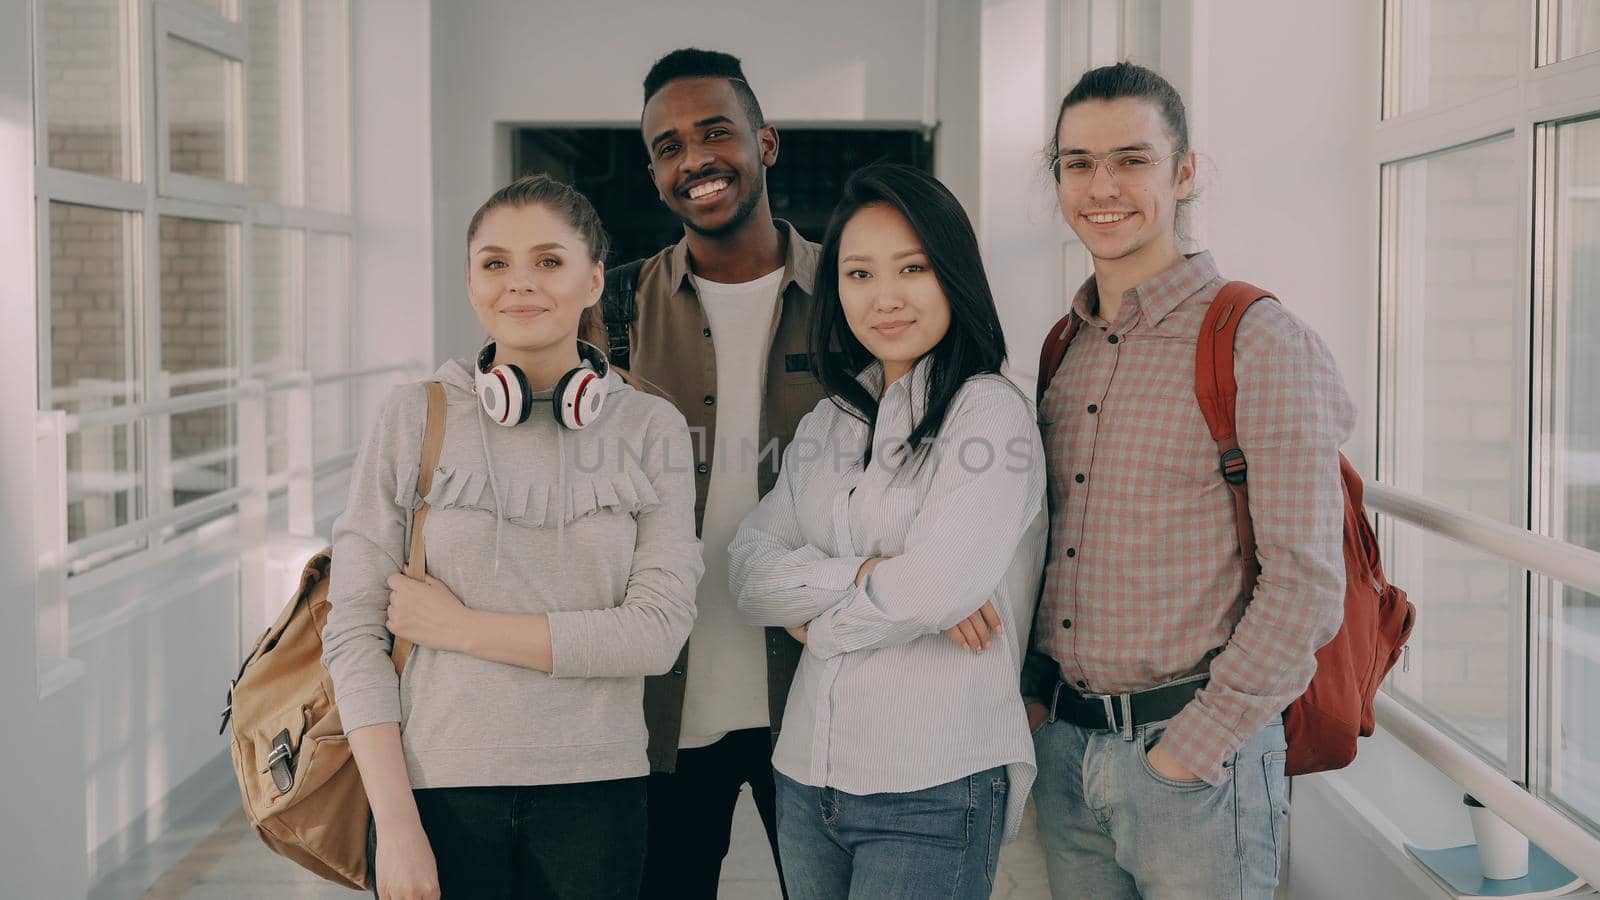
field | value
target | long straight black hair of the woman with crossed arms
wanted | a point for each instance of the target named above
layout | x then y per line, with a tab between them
974	345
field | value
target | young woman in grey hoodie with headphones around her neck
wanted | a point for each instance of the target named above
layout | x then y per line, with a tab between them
510	757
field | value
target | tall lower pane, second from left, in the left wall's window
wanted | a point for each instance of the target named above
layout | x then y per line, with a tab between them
198	267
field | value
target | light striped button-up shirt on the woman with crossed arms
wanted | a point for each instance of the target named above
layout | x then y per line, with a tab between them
884	702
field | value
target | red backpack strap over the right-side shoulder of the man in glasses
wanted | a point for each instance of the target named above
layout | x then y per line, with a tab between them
1218	392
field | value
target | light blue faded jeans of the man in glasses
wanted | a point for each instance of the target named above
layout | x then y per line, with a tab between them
1113	827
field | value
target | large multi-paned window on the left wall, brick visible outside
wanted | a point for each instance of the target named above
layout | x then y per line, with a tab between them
194	196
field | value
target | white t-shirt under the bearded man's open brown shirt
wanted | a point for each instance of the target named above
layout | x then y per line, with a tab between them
727	678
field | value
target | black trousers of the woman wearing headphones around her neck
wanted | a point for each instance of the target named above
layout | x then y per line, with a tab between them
562	842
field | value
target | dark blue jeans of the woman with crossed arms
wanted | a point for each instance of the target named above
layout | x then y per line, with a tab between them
942	842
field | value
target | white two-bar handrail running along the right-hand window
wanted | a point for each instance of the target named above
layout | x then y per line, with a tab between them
1574	566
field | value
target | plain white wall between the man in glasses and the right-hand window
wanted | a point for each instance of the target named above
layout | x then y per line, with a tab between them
1284	108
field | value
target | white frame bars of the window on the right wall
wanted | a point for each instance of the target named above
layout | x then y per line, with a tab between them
1545	95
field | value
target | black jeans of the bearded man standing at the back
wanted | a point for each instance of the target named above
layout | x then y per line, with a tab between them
692	814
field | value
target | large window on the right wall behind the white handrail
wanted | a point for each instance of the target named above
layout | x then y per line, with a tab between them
1490	331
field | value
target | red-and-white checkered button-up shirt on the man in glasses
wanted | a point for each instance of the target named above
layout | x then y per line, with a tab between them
1143	582
